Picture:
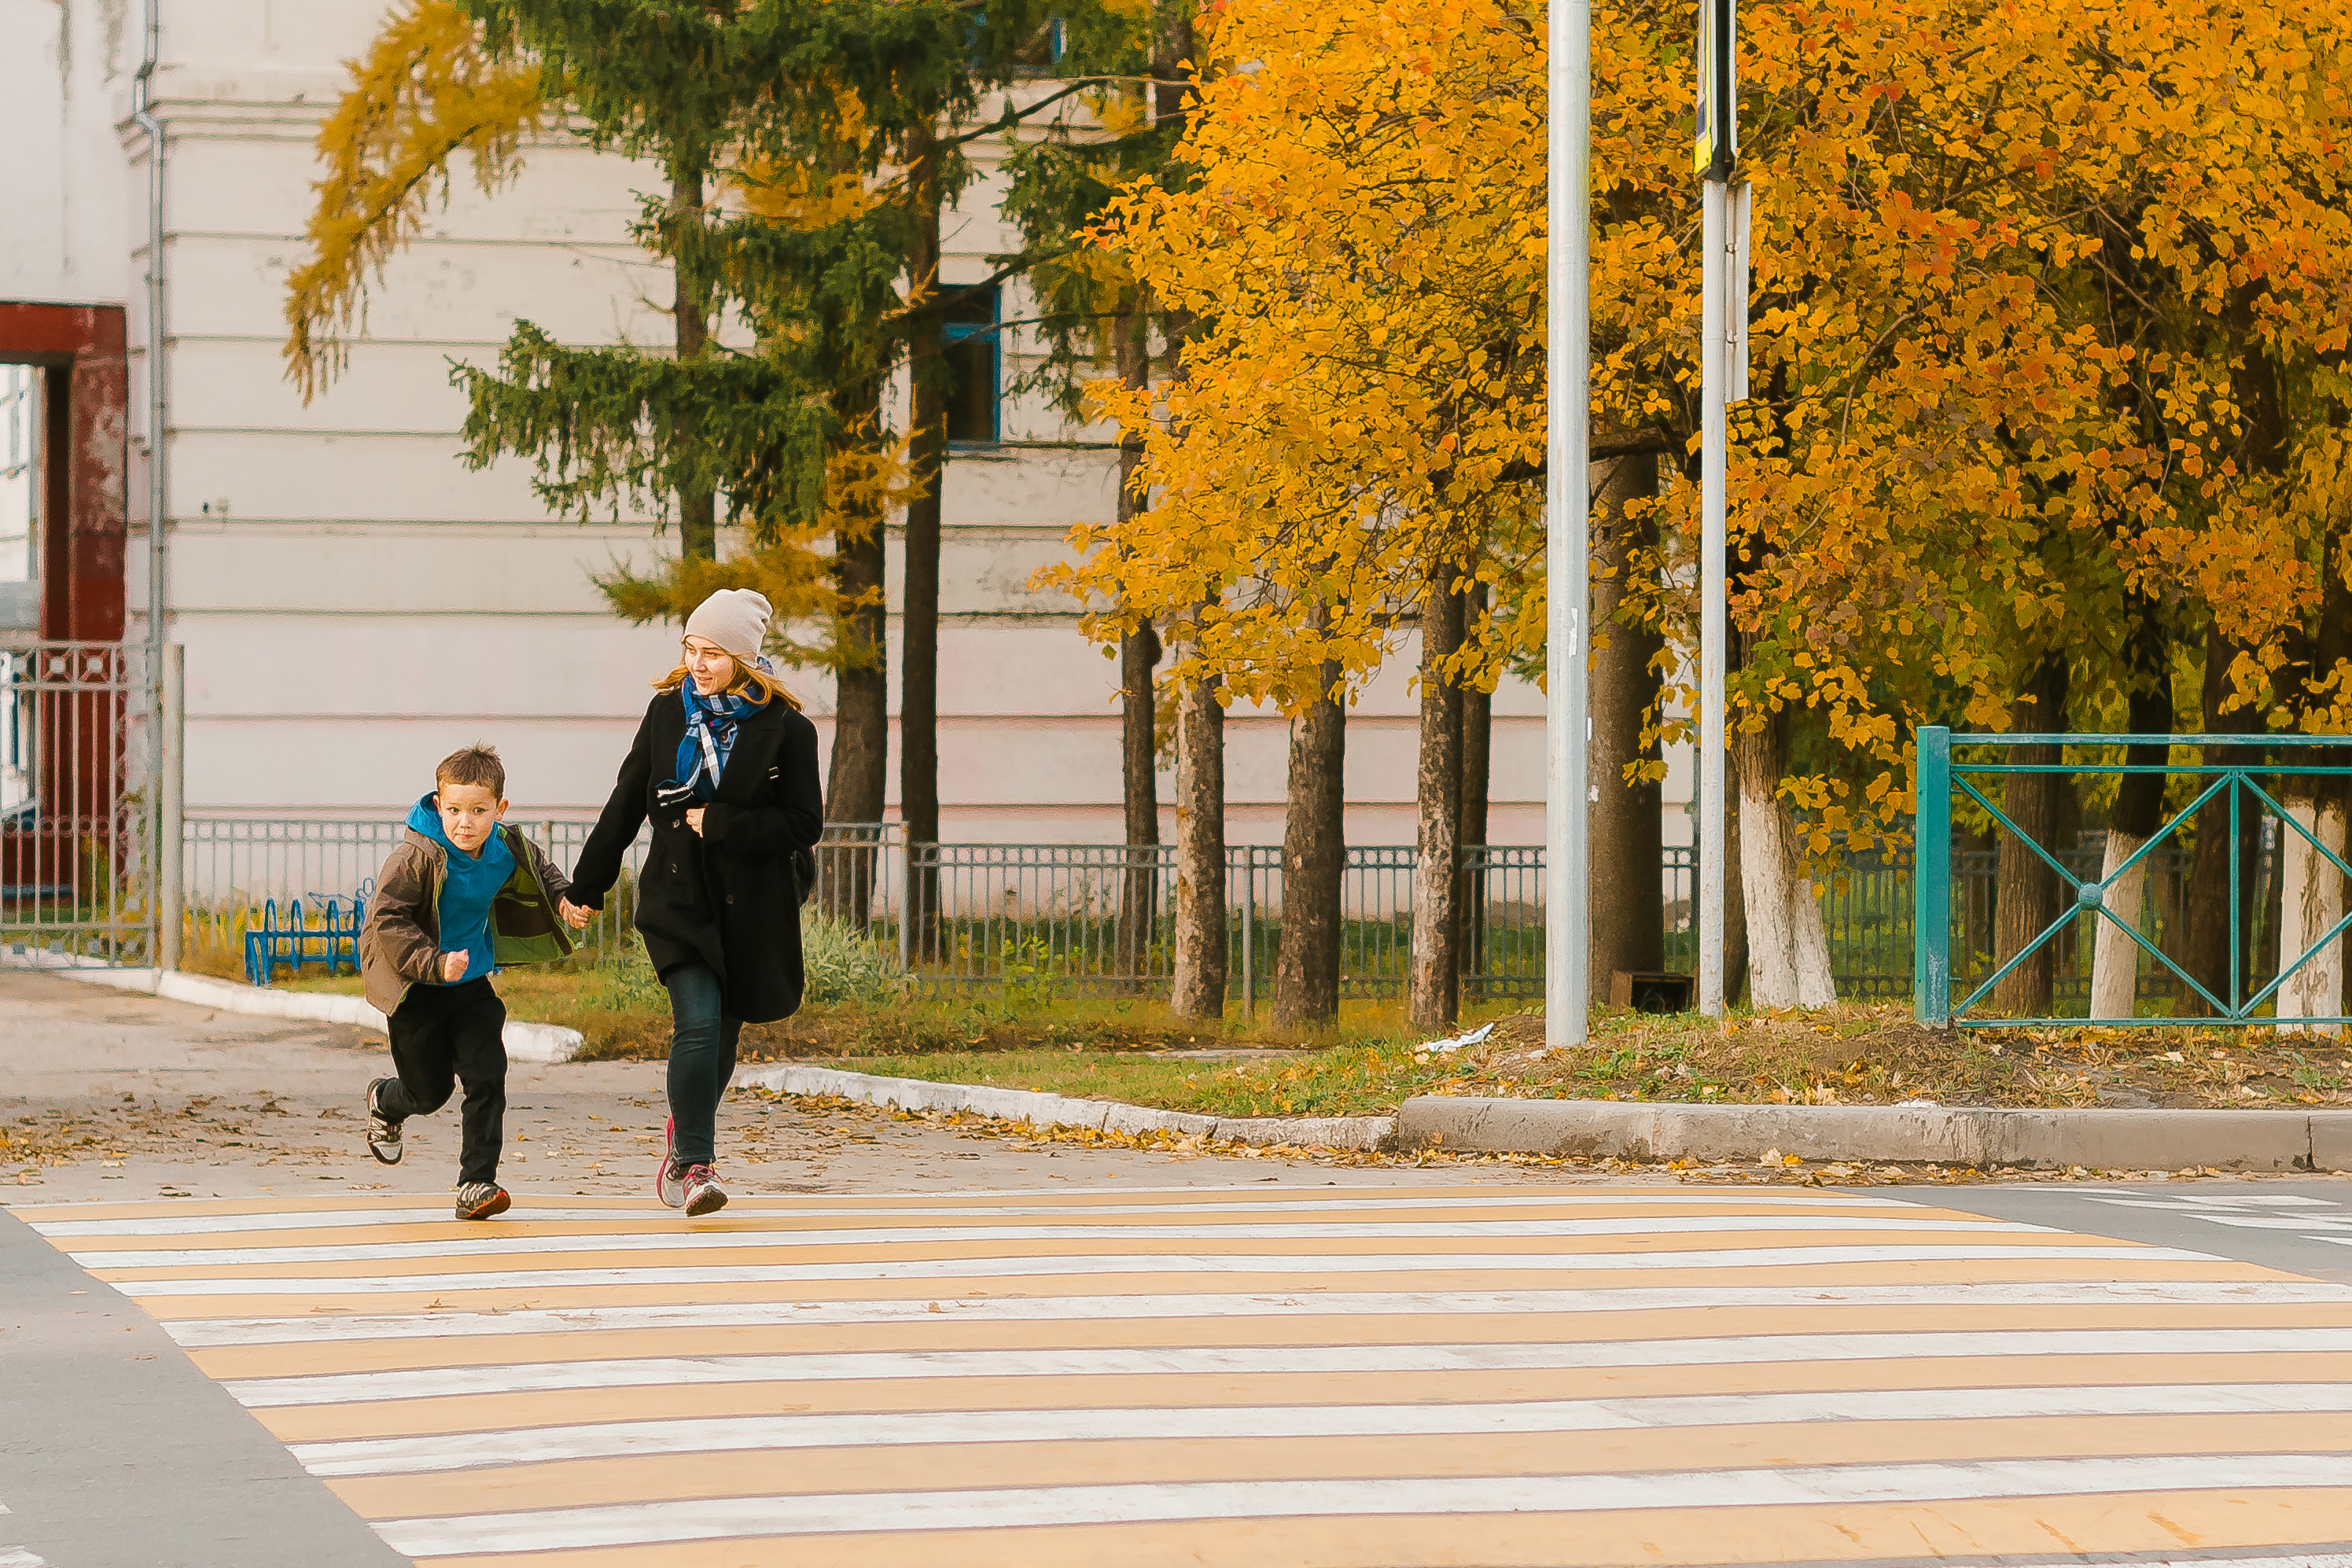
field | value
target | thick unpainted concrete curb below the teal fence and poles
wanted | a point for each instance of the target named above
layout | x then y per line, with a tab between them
1887	1134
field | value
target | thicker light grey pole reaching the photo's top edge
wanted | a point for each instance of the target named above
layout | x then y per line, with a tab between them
1568	525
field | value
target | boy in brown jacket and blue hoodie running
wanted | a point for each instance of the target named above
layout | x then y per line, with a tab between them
457	899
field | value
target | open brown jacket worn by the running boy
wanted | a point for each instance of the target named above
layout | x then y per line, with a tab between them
401	939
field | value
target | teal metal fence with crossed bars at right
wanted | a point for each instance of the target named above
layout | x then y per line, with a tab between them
1951	894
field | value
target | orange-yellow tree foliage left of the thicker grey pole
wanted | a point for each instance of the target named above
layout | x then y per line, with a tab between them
1356	391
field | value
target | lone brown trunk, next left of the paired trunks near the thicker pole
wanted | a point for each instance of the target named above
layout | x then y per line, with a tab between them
1314	862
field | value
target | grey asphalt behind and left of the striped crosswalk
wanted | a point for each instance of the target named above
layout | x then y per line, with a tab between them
119	1454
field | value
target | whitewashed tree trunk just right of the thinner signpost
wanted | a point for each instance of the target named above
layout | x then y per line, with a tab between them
1789	949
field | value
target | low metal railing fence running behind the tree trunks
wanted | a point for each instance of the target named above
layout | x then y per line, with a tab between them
1060	920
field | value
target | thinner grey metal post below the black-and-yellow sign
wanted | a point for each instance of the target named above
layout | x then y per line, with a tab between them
1713	631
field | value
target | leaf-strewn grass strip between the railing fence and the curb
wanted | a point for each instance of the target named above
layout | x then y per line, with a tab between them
1368	1064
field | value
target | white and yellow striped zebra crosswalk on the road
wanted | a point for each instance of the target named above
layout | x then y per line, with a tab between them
1351	1379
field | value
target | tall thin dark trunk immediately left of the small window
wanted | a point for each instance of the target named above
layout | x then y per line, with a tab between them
918	617
